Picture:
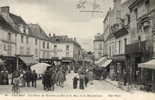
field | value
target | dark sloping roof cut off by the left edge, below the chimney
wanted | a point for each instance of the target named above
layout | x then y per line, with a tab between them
5	25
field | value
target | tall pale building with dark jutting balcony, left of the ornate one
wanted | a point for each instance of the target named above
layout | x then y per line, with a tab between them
116	29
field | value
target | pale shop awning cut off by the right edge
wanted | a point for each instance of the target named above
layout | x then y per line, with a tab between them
149	64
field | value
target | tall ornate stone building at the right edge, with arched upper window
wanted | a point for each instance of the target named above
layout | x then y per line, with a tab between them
141	49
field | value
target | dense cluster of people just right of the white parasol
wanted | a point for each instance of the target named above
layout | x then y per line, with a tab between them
55	75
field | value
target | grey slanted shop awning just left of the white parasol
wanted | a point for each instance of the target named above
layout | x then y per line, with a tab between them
28	60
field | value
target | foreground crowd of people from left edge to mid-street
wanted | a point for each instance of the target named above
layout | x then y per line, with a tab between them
54	75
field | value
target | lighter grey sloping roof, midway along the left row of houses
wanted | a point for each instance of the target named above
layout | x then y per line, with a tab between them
37	31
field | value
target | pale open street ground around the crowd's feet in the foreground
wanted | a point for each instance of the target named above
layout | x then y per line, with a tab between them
99	86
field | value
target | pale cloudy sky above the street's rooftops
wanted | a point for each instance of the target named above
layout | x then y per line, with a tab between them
62	17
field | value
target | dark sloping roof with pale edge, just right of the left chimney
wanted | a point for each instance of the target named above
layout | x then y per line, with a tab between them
17	19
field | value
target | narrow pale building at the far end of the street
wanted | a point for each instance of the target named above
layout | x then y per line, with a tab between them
98	46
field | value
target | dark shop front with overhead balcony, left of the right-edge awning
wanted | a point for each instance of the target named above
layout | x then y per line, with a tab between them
136	53
